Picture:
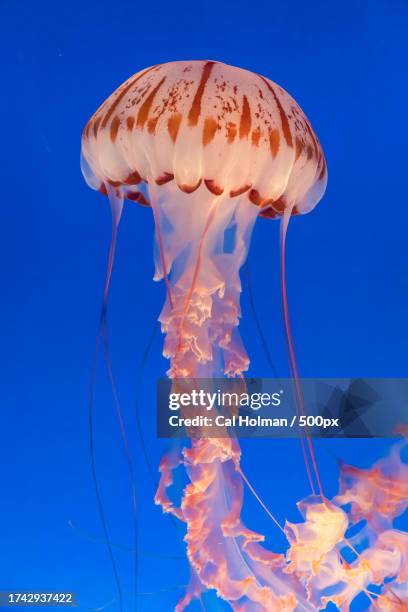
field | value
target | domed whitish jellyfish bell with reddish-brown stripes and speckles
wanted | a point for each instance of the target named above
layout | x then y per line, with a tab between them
204	122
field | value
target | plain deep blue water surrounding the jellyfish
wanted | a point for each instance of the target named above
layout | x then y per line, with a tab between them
345	63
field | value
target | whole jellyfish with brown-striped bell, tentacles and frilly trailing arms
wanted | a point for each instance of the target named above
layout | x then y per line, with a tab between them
209	148
